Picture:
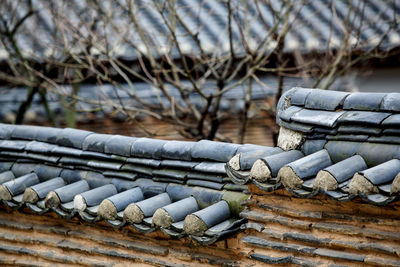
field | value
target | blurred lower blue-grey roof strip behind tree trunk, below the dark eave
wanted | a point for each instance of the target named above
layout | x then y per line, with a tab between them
96	98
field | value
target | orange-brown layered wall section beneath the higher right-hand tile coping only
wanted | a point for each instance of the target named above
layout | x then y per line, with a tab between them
321	231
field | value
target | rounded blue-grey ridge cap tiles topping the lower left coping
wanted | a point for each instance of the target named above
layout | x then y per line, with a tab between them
125	145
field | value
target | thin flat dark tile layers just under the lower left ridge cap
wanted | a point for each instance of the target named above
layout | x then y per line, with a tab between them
194	173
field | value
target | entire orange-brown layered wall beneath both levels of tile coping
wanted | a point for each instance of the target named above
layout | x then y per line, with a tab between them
281	229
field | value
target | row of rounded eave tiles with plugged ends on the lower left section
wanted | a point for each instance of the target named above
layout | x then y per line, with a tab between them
178	210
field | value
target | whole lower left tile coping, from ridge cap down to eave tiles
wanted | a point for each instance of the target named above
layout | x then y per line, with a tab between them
177	186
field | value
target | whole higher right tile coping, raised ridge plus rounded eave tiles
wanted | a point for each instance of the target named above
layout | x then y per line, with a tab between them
340	144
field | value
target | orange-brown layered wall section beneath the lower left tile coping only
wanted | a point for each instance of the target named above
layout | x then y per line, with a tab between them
47	240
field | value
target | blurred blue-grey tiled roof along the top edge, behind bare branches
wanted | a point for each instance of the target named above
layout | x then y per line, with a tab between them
318	24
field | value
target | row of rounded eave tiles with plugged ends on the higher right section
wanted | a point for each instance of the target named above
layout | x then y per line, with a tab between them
342	170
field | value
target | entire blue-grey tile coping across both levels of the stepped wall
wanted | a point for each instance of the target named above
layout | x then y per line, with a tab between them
339	144
